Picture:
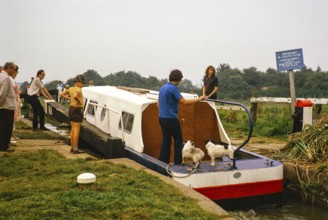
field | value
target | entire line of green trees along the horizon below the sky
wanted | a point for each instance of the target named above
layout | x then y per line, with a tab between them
234	83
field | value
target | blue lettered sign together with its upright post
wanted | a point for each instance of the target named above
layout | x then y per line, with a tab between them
288	61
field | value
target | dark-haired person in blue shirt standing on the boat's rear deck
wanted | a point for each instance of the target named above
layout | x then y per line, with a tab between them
168	104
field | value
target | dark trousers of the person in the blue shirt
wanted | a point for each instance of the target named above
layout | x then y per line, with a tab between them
171	128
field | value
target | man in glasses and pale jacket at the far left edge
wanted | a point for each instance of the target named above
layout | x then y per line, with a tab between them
7	105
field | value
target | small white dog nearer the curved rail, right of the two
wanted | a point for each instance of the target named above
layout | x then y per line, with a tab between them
217	150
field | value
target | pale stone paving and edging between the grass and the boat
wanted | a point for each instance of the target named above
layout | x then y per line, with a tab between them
29	145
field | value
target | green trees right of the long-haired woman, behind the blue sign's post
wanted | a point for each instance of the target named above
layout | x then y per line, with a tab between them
250	82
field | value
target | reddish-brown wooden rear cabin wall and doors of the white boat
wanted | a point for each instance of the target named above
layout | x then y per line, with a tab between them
198	123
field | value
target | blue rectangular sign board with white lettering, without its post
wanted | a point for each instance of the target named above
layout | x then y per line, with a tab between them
289	60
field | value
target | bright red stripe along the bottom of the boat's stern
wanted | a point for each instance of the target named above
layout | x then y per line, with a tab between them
242	190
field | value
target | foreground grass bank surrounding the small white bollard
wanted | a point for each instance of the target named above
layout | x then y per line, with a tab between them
42	185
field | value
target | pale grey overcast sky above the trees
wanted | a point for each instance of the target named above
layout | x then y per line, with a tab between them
152	37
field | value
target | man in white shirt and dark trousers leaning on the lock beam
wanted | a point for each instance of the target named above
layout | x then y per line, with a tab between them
33	99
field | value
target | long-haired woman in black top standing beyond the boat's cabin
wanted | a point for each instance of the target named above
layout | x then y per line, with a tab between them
211	83
